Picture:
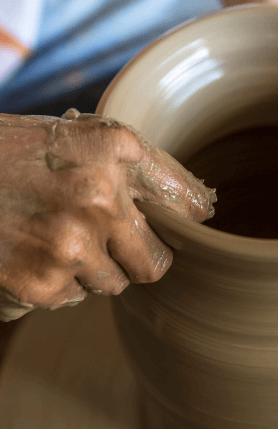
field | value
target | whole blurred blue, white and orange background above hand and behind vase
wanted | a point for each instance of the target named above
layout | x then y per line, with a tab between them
56	54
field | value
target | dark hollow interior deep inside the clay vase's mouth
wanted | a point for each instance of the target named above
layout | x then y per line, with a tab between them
243	168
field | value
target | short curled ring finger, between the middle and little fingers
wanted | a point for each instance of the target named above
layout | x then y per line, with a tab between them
101	275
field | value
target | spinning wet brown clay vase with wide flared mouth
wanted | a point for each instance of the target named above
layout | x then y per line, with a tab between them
203	340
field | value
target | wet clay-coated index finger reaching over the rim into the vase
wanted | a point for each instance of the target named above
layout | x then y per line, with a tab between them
162	179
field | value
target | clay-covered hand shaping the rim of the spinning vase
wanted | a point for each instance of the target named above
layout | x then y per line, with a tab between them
68	222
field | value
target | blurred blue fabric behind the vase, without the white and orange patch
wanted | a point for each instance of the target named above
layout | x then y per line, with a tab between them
82	42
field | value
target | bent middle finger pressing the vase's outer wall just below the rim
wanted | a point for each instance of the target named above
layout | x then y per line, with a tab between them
138	250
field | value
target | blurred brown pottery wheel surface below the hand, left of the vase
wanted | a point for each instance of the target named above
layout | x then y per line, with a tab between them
66	369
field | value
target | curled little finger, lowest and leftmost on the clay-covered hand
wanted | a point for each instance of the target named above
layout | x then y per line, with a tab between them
36	280
